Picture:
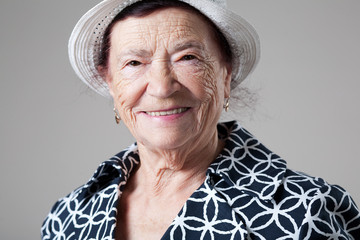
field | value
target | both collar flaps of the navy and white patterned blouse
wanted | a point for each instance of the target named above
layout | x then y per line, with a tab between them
244	164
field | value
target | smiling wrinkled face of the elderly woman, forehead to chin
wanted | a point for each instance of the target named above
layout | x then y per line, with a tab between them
167	78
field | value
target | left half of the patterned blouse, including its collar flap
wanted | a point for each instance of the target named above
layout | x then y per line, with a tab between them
81	213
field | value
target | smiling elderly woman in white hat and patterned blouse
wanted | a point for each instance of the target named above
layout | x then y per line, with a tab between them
170	68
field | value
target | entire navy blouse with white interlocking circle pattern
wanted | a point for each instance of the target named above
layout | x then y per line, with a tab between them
248	194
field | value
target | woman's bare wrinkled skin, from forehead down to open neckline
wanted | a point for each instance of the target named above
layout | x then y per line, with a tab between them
164	61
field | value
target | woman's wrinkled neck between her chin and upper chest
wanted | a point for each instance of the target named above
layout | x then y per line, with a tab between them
178	171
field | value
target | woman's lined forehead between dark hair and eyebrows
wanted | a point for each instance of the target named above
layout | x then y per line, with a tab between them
169	24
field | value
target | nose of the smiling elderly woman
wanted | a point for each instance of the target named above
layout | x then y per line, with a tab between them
162	80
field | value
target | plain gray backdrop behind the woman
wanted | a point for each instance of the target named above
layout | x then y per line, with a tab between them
54	131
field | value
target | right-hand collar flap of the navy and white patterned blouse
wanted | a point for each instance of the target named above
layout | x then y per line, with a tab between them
247	165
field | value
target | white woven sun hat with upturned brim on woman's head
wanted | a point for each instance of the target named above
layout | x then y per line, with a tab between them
86	40
